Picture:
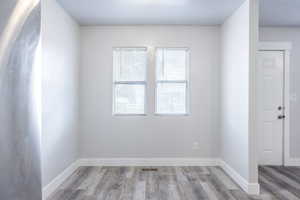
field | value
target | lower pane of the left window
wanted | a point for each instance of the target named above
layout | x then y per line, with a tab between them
129	99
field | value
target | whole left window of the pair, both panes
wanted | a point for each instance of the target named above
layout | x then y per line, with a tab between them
129	81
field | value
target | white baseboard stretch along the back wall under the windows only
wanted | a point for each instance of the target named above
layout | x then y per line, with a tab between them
148	162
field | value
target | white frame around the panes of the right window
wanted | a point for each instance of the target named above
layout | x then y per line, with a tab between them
187	81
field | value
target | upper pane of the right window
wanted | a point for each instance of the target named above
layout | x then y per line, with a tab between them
171	64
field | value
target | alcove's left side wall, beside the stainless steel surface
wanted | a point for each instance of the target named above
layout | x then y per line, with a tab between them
60	44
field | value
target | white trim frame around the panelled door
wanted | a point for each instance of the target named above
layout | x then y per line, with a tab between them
286	48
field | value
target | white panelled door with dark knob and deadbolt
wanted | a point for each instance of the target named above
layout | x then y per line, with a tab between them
270	106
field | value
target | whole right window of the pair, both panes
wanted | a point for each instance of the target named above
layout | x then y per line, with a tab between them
172	81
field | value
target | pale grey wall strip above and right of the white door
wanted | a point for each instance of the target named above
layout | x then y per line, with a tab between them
291	34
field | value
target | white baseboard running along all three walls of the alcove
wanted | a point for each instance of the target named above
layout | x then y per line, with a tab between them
250	188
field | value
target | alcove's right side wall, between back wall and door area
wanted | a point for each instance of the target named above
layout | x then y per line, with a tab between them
235	91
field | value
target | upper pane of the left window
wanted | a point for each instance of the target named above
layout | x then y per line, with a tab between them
130	64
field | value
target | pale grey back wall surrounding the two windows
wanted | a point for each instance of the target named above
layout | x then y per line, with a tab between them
103	135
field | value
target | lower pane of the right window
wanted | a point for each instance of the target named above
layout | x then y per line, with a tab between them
171	98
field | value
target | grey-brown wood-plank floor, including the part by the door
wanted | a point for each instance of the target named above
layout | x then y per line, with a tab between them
174	183
